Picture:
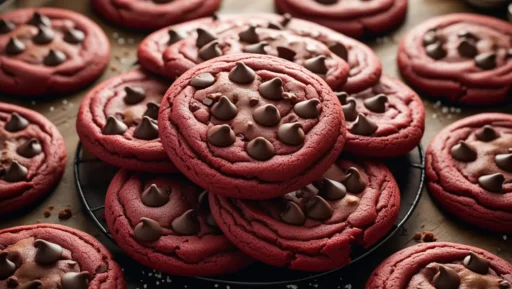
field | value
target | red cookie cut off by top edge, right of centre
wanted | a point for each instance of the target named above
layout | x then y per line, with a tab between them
352	18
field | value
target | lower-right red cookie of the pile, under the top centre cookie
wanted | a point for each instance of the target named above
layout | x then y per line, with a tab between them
355	203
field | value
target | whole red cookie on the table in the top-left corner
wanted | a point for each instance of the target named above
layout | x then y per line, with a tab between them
48	51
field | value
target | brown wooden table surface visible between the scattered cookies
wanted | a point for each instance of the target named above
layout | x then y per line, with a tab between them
427	217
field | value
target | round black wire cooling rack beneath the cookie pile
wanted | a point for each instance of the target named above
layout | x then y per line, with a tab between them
92	178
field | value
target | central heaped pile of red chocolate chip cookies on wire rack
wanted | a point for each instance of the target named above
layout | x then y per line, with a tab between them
257	150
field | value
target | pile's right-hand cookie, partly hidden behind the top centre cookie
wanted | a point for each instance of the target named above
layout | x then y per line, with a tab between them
386	120
